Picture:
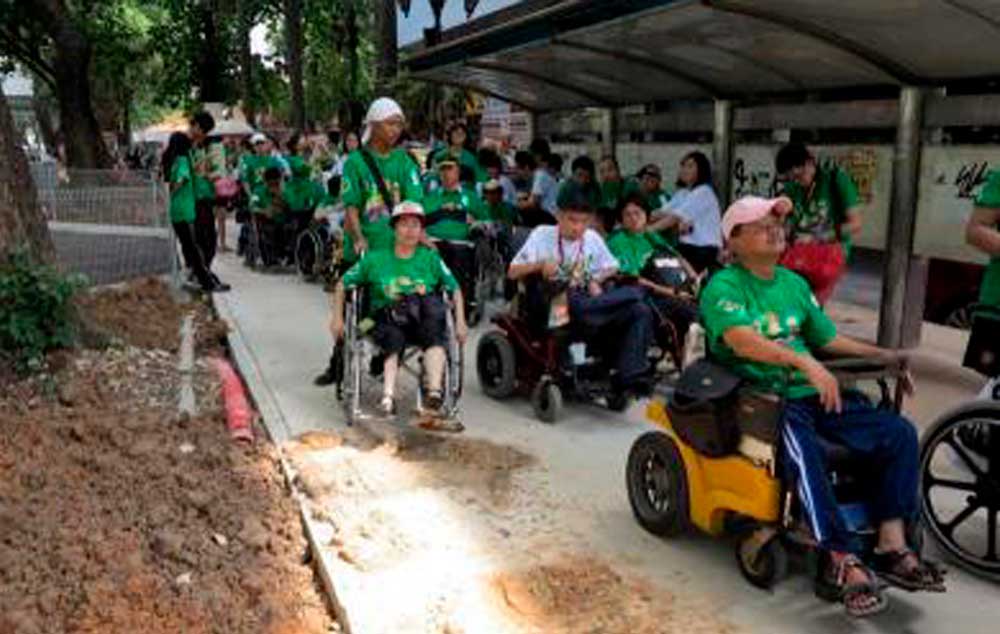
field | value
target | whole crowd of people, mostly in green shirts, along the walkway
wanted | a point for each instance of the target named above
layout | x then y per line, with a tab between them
767	267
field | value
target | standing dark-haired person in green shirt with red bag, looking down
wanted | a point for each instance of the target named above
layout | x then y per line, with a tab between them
824	222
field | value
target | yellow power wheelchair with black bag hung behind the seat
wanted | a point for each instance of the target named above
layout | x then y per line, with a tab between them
713	465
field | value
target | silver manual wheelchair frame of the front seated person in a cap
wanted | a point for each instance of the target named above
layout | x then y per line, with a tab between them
353	358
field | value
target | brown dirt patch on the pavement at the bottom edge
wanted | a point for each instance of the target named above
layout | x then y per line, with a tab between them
579	594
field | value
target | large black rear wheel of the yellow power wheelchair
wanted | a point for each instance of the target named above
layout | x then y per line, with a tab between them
657	484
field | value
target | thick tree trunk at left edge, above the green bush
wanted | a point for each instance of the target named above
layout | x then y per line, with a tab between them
21	221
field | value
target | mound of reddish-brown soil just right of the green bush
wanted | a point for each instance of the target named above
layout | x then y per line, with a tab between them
141	313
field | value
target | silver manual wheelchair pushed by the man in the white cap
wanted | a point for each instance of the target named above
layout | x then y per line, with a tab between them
358	349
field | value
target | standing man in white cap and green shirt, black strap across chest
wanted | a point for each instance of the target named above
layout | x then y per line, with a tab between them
377	177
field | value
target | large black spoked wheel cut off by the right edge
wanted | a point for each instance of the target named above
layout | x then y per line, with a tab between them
960	486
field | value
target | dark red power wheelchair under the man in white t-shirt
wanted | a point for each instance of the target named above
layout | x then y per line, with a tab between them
522	355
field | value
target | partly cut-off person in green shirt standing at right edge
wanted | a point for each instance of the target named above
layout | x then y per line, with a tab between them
983	232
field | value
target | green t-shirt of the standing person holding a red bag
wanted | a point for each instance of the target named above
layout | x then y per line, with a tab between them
820	215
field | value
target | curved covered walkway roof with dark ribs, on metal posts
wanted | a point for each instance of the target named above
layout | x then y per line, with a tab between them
553	55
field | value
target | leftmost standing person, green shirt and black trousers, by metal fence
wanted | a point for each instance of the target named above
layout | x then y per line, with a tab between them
179	175
